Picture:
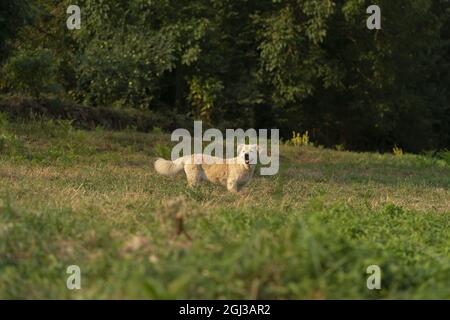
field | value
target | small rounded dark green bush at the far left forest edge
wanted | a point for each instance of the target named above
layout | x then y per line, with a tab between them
32	72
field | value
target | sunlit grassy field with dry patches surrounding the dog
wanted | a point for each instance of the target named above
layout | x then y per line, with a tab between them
92	199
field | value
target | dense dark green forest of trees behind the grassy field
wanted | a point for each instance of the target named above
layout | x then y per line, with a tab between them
296	65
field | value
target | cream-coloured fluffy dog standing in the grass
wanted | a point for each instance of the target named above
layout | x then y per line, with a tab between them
233	173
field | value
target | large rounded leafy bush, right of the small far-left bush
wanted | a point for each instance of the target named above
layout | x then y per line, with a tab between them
122	68
